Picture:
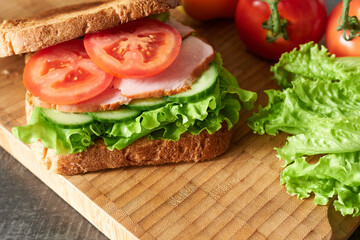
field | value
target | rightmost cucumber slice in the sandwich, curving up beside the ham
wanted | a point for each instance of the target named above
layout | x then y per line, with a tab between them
200	88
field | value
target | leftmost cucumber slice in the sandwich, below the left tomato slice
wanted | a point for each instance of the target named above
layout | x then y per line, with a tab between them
65	119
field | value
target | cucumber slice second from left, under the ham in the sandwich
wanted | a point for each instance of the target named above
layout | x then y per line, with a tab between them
115	116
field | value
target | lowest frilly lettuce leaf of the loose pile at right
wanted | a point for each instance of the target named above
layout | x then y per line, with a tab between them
333	175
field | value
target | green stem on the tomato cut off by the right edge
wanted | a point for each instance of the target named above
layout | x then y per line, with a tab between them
348	24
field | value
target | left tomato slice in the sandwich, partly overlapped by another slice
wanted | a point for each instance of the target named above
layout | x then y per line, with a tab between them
64	74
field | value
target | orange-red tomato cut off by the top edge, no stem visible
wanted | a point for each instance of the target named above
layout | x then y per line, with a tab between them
203	10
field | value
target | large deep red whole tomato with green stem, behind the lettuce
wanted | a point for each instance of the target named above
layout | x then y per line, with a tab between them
306	20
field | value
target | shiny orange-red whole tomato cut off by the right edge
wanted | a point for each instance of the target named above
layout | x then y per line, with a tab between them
334	39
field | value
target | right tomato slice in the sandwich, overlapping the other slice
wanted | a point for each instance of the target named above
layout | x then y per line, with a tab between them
137	49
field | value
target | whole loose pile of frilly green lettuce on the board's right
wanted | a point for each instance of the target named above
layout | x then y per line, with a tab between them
320	107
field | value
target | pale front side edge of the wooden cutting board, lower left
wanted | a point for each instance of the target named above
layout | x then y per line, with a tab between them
68	192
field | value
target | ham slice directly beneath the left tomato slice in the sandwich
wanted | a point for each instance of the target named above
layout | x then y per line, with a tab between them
110	99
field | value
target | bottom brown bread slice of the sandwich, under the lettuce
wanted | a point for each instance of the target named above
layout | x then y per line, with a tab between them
142	152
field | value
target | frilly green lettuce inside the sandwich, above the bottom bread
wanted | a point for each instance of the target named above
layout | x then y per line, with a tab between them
167	122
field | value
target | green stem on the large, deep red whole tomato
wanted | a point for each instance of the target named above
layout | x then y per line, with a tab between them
275	25
